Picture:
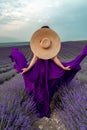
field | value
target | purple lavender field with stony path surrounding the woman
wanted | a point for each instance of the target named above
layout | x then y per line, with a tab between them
69	104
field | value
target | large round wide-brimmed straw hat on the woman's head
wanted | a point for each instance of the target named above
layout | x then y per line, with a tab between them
45	43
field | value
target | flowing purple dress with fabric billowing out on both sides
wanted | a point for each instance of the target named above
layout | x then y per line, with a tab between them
44	78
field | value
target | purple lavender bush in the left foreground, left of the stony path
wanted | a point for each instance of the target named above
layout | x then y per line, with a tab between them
20	116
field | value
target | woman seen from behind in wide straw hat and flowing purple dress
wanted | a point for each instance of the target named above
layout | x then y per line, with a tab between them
45	73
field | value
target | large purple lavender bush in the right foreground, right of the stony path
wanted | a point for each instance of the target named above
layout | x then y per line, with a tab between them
72	107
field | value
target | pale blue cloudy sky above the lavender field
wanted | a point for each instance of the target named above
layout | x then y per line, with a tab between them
19	19
